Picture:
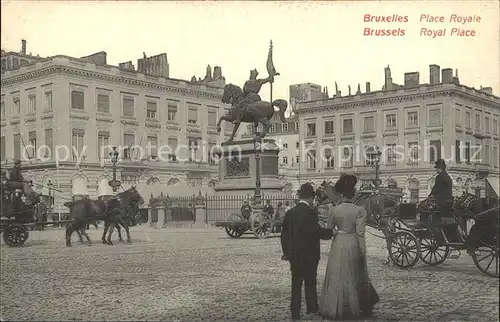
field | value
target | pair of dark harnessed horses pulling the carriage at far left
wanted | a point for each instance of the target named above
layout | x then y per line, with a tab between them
112	212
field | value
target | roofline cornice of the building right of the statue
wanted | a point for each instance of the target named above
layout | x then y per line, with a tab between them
392	98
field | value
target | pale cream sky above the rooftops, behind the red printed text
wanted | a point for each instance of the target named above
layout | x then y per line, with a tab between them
317	42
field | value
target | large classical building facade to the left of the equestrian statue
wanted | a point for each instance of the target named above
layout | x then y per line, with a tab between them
78	108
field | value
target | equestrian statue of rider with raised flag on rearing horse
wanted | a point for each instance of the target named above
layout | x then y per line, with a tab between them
247	105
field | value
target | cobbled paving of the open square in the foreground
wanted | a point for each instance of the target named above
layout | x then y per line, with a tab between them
189	275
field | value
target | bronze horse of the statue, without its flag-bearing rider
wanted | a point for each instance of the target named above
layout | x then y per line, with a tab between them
257	111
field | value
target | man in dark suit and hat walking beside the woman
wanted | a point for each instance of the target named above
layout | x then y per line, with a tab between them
300	238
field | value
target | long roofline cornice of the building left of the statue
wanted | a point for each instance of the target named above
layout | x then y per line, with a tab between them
90	74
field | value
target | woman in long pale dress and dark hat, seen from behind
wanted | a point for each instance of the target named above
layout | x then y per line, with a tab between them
347	292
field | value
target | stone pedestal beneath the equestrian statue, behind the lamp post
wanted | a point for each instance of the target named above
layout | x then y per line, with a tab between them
237	168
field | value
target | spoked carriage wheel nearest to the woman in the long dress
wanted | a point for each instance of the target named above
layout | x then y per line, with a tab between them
404	249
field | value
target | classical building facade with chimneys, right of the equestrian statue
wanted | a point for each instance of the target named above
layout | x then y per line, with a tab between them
412	125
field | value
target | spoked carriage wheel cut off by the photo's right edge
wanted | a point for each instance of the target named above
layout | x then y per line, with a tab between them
485	256
